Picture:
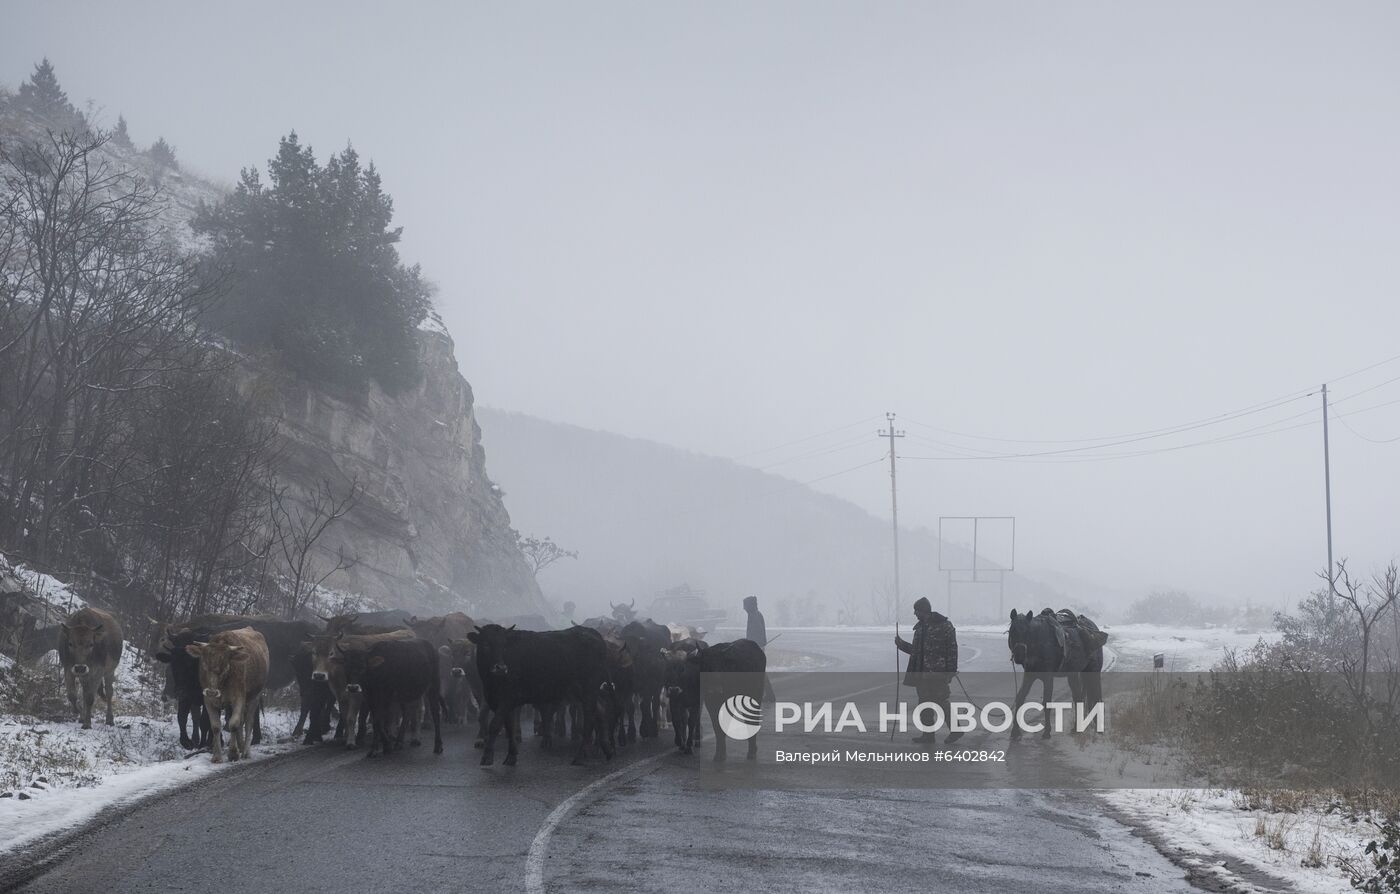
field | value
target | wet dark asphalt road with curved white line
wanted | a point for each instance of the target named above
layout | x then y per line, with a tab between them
328	821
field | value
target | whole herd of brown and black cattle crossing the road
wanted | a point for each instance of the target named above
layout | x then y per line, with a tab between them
387	674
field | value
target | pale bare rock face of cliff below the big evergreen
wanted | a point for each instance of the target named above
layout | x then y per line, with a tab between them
430	532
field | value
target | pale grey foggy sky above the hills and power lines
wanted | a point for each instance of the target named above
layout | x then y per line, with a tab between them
733	226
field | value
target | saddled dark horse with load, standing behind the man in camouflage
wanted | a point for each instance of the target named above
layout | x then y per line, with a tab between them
1051	646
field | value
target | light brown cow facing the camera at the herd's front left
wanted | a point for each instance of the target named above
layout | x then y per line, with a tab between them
233	668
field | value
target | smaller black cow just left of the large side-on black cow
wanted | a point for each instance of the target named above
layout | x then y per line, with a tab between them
395	675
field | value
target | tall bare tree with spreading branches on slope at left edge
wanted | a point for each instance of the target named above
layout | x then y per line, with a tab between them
97	314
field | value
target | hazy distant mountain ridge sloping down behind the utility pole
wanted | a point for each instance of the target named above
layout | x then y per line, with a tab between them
646	517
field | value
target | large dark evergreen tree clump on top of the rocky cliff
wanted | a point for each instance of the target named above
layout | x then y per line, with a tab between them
318	278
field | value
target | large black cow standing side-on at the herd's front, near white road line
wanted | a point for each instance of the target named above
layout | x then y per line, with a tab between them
542	669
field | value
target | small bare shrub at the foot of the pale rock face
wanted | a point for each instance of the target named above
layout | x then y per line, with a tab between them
297	525
